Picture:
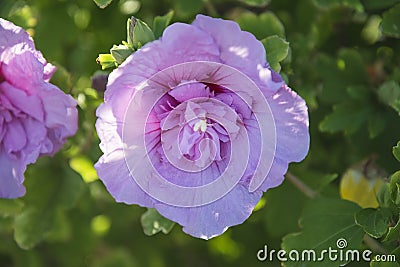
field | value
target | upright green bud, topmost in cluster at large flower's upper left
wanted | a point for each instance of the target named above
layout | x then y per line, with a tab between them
139	33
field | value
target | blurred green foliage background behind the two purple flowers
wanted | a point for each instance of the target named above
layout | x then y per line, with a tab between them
343	58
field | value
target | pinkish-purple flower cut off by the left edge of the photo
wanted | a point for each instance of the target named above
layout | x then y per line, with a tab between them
35	116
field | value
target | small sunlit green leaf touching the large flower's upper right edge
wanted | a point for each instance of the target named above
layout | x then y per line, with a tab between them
277	50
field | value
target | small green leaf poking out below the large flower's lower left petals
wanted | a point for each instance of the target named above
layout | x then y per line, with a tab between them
153	222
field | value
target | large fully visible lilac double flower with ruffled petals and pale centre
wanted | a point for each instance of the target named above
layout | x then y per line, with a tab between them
198	126
